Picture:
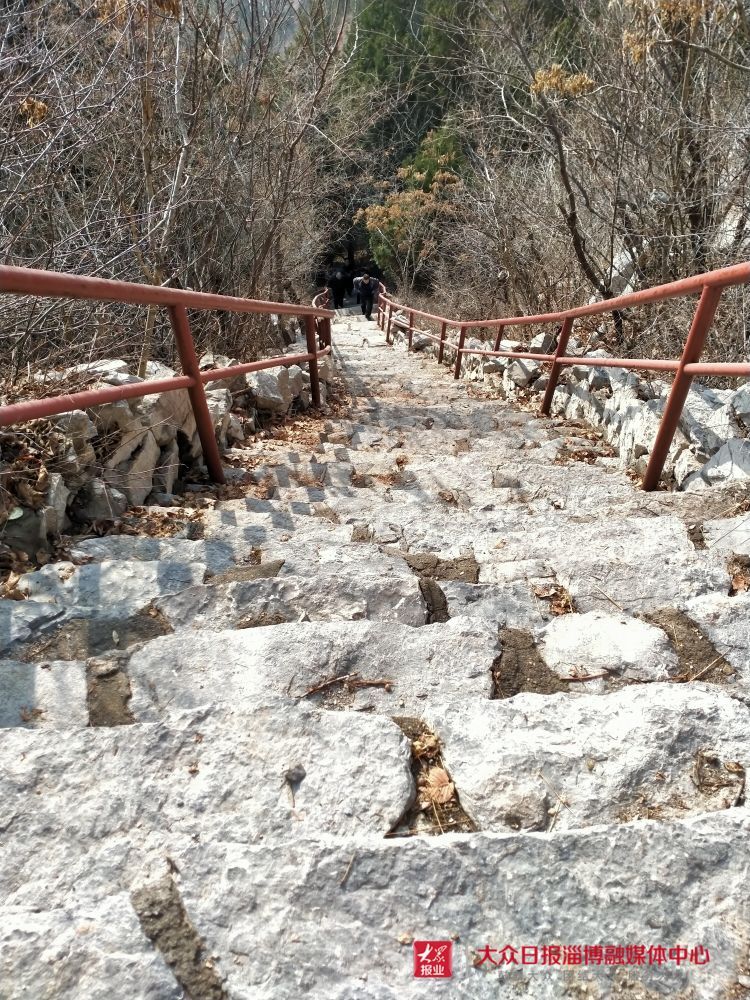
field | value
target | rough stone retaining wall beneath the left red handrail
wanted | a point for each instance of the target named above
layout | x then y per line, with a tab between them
133	451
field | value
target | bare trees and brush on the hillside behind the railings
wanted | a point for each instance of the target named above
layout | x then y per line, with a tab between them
494	156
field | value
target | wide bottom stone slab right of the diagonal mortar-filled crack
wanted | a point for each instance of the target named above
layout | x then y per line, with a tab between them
644	883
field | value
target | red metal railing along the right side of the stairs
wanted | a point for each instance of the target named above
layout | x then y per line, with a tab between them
709	286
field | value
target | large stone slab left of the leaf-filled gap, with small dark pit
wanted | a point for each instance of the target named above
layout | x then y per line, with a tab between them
281	771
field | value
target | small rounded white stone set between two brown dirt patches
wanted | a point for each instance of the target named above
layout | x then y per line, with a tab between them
600	642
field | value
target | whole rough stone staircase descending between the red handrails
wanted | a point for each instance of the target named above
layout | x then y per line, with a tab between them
204	793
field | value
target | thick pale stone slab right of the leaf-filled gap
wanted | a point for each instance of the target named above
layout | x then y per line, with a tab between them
538	762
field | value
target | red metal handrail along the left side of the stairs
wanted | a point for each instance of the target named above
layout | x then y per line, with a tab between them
52	284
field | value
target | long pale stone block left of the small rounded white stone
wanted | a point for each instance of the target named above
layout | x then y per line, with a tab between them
183	671
